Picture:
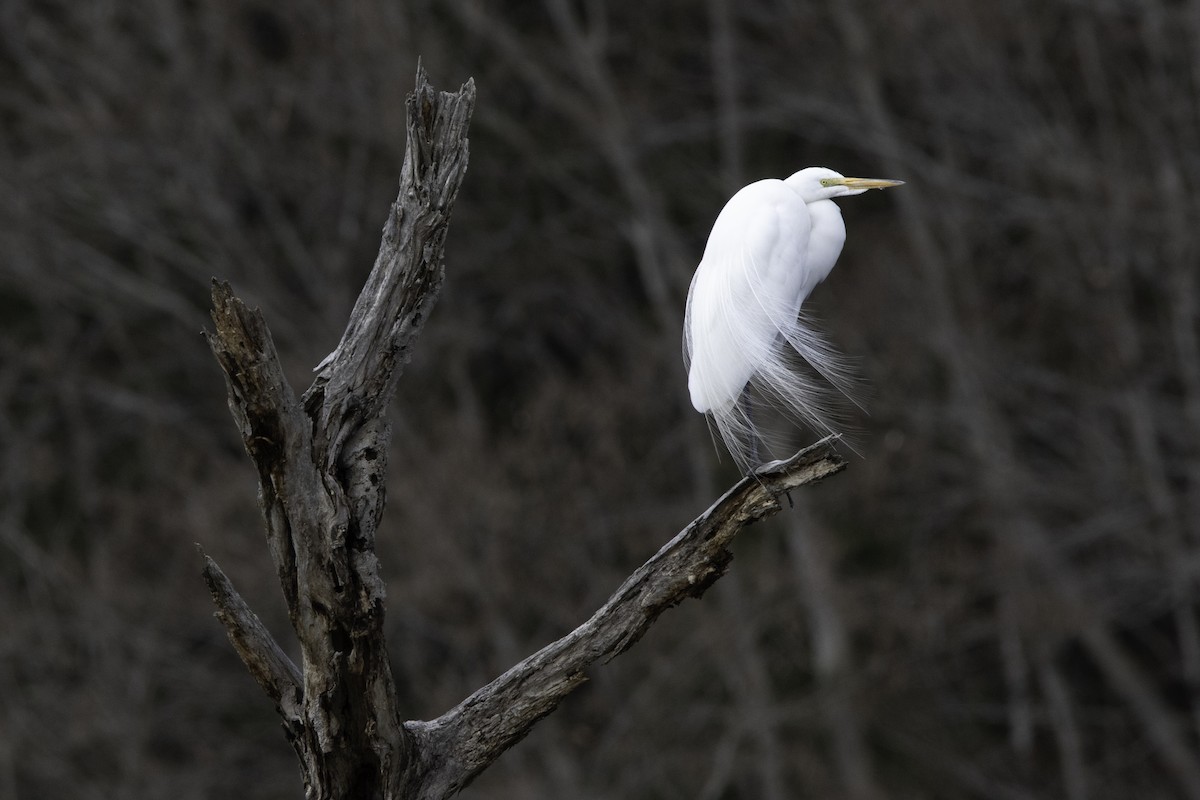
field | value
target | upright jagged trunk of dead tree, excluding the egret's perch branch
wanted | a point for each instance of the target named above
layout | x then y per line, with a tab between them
322	464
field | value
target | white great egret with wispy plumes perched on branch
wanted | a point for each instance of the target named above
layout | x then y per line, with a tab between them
771	245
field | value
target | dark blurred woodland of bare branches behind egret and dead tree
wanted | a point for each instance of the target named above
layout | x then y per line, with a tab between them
997	600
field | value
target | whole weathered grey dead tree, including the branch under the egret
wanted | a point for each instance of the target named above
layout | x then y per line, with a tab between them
322	465
